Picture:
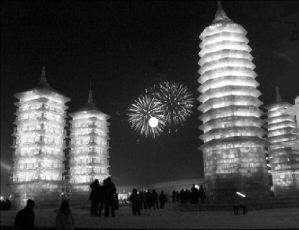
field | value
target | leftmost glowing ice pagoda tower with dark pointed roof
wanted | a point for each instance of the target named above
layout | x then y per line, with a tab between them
39	145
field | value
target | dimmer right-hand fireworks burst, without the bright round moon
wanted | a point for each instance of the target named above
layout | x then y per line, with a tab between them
176	100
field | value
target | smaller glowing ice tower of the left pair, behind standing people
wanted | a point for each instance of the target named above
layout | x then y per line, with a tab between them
89	147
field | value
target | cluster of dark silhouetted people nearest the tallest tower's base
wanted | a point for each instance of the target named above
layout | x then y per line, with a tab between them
189	196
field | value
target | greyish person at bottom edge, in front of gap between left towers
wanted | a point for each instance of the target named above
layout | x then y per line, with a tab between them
64	219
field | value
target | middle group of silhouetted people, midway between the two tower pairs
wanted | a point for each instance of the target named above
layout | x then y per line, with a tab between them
146	200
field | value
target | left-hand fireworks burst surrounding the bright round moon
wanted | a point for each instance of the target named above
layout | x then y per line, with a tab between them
142	110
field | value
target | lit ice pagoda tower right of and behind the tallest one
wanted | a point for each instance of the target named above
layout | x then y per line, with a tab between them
284	157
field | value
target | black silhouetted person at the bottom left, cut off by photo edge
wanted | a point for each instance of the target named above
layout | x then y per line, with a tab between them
25	217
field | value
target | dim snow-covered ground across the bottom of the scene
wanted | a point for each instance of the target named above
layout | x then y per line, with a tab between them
171	217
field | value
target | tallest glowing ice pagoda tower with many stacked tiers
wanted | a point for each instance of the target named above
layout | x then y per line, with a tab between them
233	149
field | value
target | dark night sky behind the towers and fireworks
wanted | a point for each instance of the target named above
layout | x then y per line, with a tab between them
125	47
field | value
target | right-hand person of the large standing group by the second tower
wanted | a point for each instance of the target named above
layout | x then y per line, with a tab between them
109	191
